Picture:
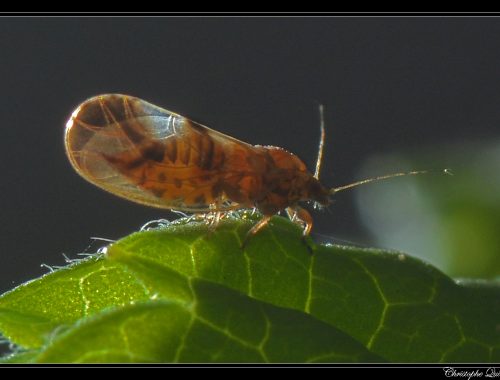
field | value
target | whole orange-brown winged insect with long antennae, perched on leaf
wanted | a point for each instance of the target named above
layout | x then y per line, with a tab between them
155	157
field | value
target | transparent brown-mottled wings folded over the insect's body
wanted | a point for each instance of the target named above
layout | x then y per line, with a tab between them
152	156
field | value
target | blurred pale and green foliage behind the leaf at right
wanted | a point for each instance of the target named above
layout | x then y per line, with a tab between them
451	221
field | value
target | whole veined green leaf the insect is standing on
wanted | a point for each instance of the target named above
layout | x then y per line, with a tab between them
334	304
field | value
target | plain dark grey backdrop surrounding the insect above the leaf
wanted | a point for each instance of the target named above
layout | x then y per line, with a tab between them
388	84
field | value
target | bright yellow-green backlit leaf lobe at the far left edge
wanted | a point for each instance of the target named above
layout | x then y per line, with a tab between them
30	312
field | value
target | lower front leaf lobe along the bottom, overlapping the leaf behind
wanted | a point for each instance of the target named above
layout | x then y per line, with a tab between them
222	326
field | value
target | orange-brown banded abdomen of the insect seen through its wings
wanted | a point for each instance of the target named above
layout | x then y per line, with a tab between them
182	168
